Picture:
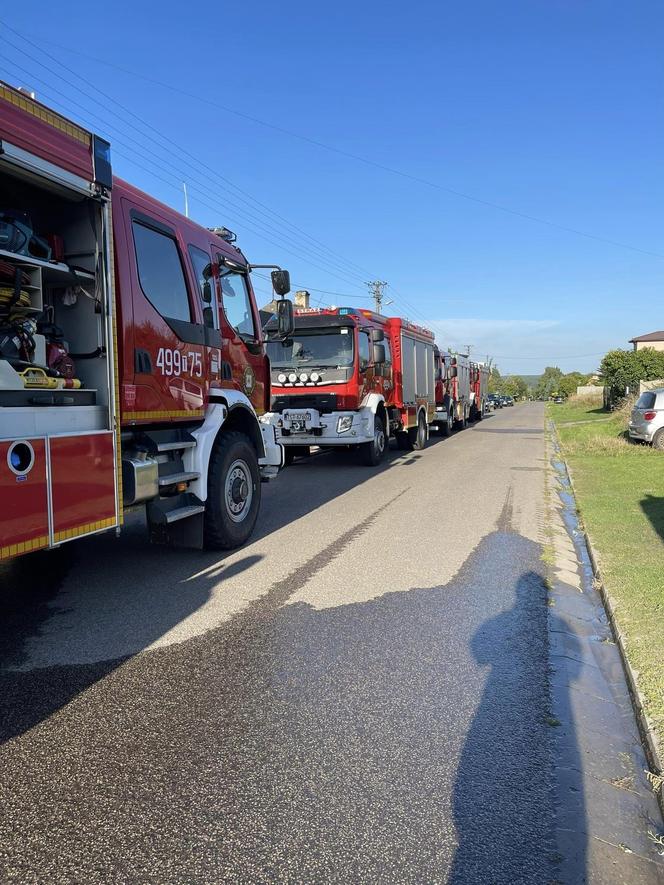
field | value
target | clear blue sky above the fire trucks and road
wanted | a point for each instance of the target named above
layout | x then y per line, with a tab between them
552	109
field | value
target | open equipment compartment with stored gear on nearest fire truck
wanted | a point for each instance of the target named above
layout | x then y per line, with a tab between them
53	336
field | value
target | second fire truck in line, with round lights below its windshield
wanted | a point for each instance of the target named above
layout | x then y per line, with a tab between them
352	378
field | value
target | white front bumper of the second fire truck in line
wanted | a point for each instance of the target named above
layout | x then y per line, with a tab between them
322	430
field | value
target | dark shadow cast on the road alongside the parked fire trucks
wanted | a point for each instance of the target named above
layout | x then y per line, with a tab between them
126	597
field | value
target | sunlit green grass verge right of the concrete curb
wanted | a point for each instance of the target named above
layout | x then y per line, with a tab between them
620	495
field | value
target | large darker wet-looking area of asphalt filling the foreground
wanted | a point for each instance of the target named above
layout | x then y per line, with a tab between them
404	738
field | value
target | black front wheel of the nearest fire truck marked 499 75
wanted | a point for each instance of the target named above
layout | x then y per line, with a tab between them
233	480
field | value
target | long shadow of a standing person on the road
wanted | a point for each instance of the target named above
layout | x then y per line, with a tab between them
498	824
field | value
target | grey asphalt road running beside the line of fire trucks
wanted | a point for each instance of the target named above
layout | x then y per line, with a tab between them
359	695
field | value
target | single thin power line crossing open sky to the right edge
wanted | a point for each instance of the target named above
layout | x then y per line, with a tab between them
366	160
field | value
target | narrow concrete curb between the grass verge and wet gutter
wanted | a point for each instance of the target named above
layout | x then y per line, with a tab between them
648	736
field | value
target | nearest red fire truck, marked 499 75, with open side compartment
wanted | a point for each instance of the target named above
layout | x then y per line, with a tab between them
132	365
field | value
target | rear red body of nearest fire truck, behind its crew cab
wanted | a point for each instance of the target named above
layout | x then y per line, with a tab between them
58	418
